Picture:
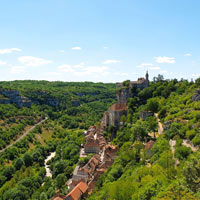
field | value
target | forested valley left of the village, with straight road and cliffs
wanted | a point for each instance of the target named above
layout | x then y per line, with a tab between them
67	110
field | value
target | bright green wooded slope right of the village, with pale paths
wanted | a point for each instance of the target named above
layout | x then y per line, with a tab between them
157	164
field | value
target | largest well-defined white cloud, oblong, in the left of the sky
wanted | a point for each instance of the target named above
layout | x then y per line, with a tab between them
33	61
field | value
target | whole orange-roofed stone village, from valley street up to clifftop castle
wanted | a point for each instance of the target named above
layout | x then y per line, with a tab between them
84	177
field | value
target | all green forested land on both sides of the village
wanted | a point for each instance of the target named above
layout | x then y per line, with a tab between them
158	157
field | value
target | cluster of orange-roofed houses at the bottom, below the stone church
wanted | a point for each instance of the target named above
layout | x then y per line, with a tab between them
87	175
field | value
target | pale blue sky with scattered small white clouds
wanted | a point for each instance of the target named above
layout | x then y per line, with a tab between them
99	40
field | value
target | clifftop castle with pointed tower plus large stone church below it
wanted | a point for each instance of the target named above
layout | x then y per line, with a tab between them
124	90
